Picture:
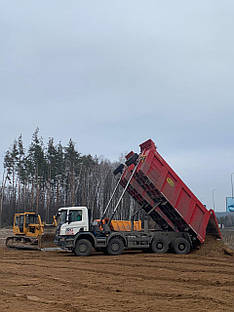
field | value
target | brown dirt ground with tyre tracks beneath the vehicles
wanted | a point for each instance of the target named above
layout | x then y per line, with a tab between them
135	281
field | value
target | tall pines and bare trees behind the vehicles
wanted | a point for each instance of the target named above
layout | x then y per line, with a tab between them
48	176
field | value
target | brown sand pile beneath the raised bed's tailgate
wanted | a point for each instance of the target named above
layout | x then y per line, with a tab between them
214	247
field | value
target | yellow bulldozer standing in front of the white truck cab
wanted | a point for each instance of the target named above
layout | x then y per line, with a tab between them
29	232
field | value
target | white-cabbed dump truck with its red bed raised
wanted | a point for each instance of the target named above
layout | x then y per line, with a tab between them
182	220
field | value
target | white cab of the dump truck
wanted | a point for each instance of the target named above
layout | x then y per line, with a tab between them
72	220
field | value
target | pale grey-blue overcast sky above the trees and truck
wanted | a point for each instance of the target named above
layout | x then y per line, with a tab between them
110	74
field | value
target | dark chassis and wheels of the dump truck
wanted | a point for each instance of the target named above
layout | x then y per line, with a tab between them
114	243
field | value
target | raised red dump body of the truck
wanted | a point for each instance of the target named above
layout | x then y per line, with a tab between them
165	197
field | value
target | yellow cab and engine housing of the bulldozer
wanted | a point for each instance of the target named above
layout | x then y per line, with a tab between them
28	223
